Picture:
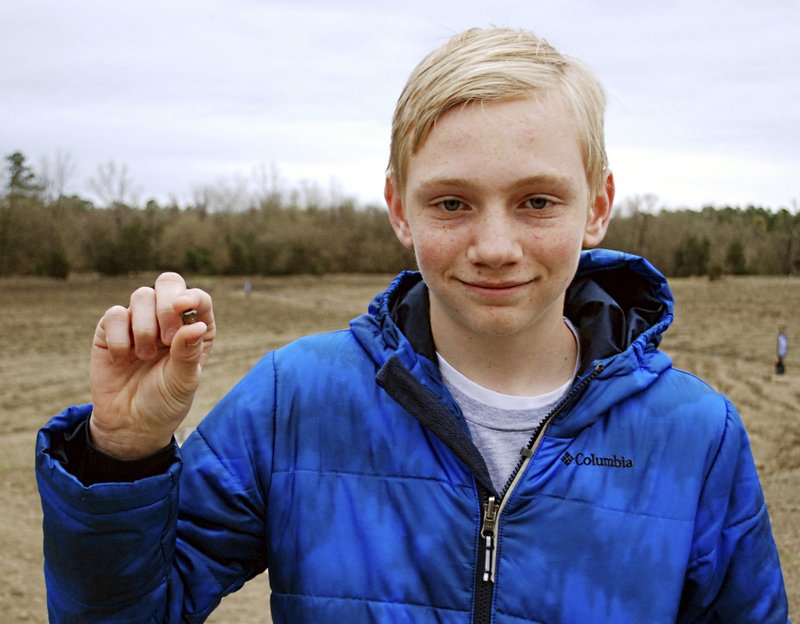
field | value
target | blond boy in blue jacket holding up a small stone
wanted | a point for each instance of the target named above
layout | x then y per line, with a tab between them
377	471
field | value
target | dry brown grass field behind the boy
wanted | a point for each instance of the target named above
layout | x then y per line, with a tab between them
725	331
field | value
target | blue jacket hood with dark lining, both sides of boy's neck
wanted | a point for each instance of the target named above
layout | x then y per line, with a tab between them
620	304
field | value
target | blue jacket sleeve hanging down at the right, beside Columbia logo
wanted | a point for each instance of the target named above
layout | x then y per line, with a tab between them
734	575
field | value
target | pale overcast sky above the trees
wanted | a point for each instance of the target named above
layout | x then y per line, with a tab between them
704	96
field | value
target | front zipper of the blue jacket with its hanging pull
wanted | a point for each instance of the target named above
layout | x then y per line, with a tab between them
493	509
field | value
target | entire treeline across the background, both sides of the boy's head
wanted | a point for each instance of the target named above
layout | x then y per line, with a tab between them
43	232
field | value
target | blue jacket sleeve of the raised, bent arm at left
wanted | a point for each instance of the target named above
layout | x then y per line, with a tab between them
168	547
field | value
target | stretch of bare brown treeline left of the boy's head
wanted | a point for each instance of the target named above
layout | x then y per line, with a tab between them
274	233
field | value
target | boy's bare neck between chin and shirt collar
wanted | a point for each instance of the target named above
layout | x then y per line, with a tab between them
529	365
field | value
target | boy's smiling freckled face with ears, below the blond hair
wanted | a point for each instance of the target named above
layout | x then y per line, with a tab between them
497	207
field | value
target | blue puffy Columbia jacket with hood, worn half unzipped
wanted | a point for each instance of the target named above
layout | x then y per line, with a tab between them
342	464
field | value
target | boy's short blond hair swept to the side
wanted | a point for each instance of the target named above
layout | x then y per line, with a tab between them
481	65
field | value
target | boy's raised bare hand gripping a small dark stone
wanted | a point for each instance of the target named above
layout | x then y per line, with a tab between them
145	367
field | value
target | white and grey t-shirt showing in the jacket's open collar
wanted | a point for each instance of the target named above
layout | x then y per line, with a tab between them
501	424
